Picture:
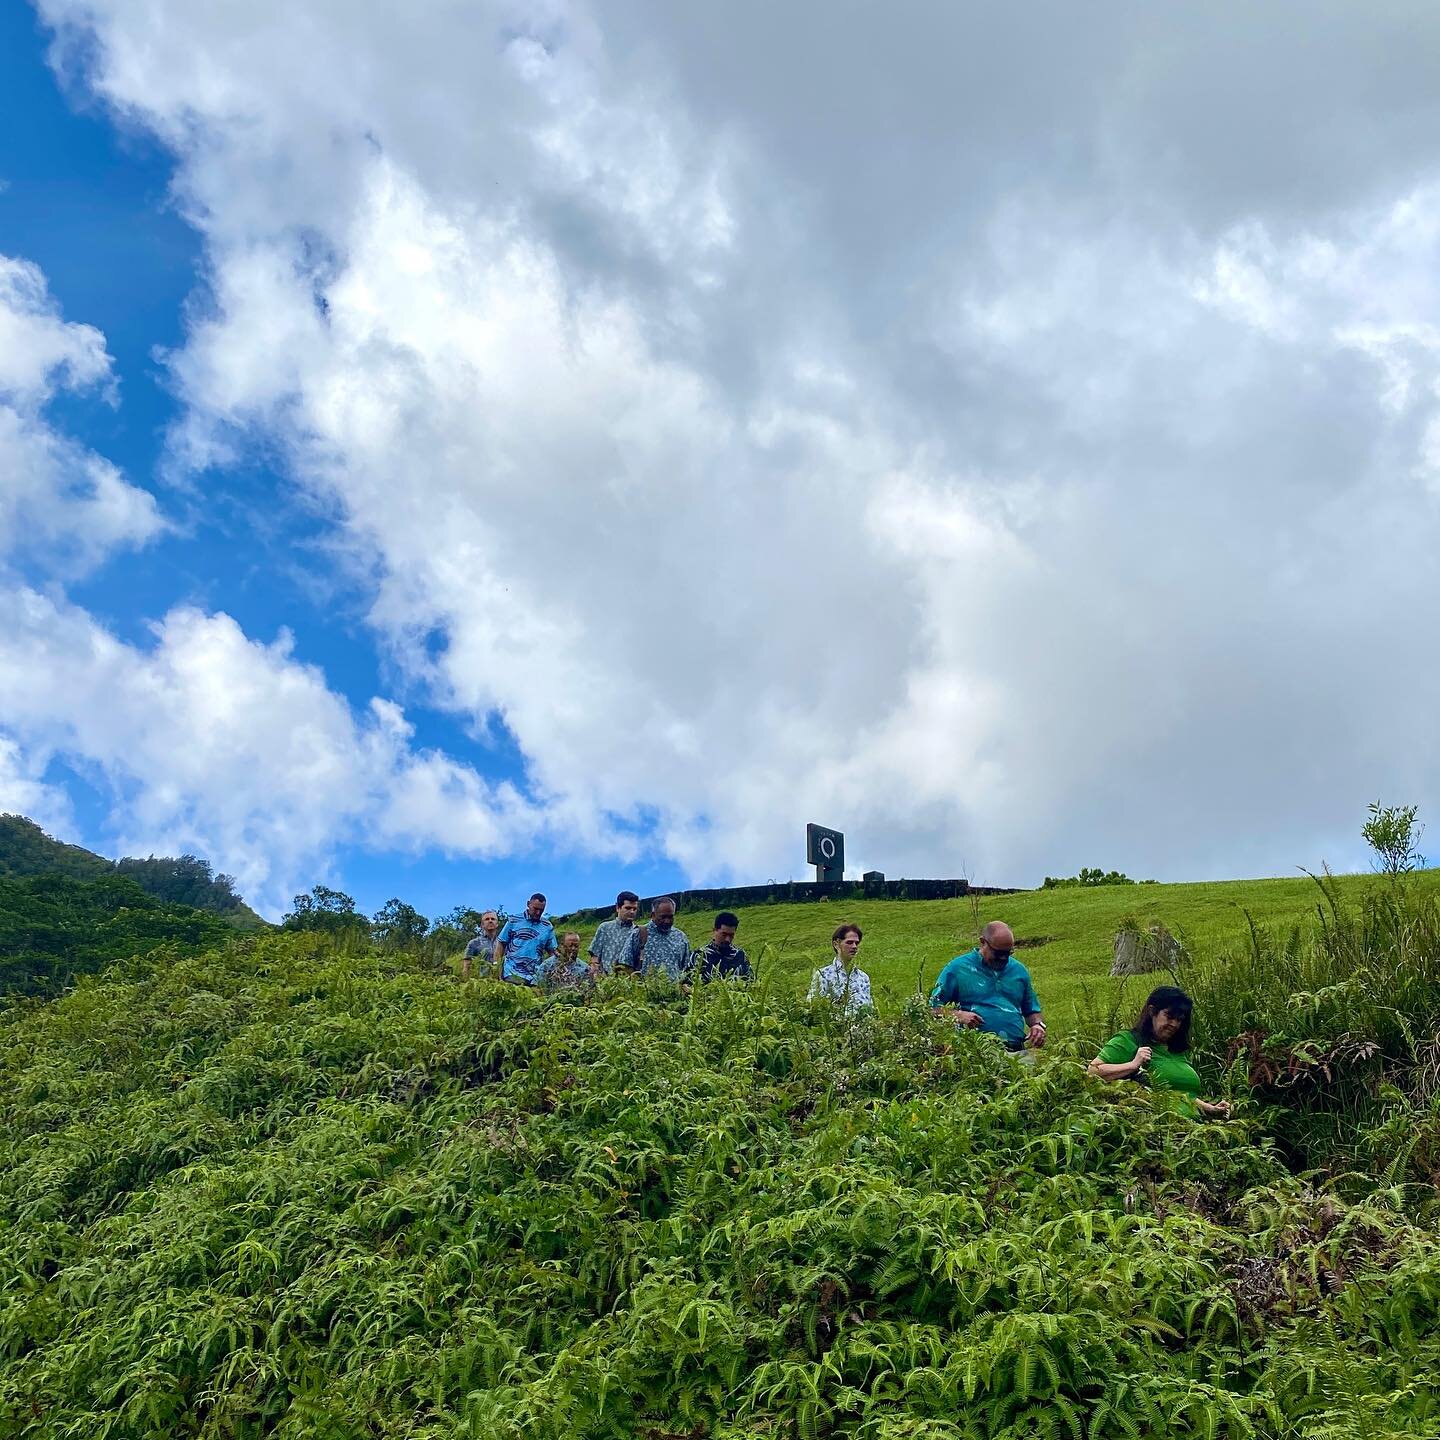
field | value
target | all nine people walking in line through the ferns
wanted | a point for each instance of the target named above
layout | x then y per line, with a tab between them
986	989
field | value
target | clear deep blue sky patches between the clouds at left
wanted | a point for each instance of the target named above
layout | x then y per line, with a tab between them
89	201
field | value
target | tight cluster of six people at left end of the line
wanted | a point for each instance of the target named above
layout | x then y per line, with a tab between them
526	950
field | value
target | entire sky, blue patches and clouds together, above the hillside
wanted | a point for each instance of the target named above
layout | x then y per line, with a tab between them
515	446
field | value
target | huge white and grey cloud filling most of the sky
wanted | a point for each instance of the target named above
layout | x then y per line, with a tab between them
1007	437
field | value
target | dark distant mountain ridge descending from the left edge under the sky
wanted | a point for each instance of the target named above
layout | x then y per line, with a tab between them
27	850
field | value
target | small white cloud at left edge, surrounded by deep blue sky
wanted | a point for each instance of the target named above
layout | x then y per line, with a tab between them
57	499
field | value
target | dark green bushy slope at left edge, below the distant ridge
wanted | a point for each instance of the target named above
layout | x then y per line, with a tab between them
55	930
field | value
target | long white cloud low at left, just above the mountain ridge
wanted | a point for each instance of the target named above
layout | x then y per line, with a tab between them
215	744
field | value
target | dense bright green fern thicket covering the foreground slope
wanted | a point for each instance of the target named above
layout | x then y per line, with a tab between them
280	1190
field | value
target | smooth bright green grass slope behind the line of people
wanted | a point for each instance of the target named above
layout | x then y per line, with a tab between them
909	941
